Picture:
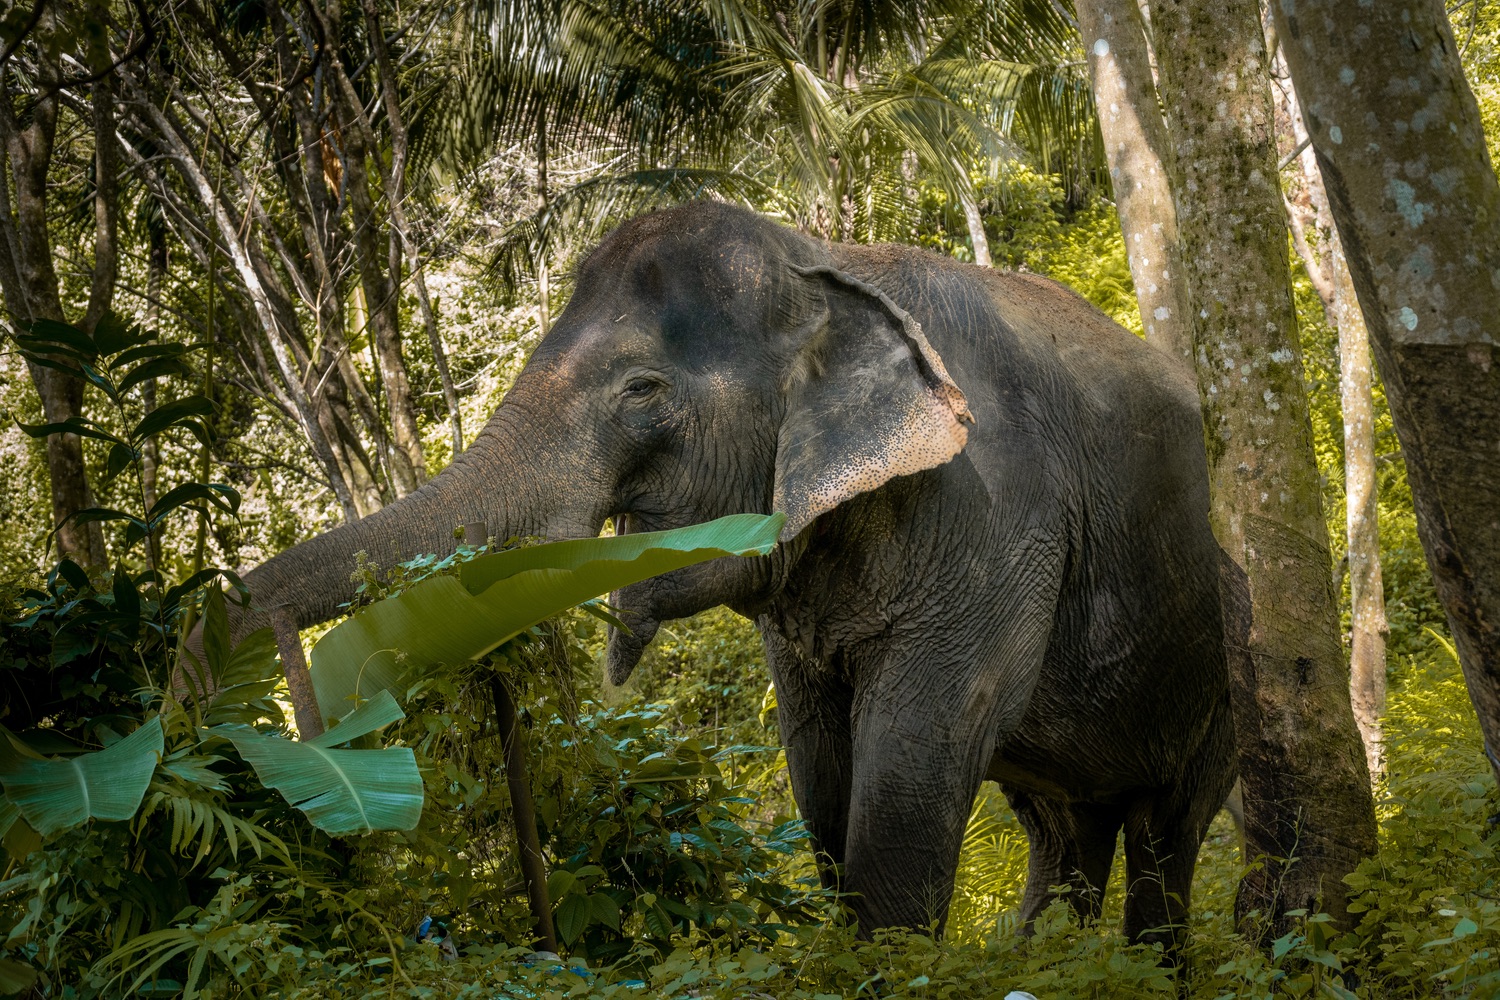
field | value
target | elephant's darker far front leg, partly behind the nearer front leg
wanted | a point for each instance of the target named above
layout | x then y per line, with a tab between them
814	717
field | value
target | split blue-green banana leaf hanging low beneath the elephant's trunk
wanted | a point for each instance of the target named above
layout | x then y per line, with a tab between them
343	792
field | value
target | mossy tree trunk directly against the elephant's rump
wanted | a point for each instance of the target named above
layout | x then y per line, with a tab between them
1309	813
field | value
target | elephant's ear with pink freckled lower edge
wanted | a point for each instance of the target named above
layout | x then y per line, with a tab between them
868	400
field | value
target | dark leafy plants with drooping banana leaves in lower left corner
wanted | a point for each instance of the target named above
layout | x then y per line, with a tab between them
140	845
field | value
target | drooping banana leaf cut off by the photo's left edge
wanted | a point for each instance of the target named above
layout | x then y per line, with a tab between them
58	794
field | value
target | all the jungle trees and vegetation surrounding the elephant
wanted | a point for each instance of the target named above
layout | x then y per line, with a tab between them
268	266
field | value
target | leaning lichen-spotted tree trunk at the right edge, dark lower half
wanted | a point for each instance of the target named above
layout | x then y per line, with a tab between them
1402	151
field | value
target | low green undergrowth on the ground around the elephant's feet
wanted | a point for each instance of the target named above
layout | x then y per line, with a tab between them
1427	905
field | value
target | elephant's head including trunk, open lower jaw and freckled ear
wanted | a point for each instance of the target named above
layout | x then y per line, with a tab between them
710	364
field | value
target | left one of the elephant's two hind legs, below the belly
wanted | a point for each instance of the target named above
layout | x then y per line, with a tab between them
1070	843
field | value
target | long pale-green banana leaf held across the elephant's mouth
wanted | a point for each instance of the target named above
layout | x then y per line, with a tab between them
493	599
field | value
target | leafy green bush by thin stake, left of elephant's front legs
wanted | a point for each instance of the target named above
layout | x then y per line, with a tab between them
665	845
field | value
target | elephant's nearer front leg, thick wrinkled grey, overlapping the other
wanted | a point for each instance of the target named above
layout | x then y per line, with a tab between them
925	734
